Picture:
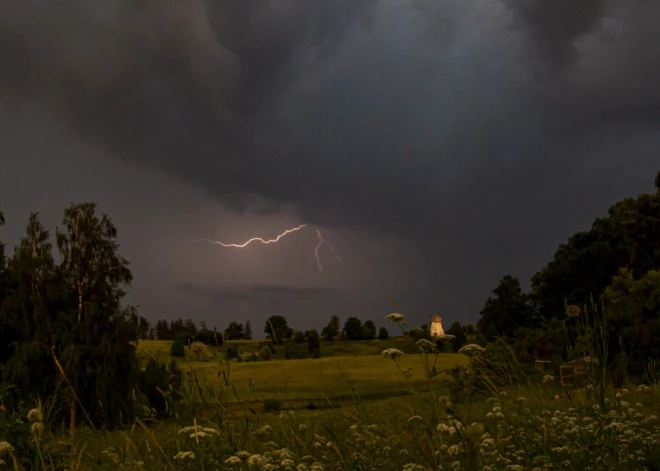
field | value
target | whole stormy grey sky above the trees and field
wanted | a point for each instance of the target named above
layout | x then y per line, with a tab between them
438	145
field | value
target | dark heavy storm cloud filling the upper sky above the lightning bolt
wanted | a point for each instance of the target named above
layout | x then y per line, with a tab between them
471	125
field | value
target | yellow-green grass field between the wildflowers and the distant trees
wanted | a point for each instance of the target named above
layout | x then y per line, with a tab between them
346	370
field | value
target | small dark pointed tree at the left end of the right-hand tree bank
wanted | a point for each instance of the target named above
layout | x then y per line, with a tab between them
507	311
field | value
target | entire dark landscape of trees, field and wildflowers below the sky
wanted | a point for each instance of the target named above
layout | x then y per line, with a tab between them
87	383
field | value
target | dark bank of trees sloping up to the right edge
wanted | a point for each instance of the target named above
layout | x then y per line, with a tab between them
606	276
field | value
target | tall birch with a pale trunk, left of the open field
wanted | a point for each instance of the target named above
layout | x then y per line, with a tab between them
96	349
